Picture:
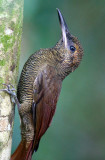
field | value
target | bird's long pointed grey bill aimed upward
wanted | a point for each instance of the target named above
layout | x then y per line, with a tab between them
64	27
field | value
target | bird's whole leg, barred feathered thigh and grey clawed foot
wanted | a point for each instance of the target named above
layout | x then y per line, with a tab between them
27	128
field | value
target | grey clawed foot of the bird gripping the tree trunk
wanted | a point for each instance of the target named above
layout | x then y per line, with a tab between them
11	92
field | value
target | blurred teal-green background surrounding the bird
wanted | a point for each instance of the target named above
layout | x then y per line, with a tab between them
78	127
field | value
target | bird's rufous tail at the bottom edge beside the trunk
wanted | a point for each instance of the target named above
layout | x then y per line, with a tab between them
23	151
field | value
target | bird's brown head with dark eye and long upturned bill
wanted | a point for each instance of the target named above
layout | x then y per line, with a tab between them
70	47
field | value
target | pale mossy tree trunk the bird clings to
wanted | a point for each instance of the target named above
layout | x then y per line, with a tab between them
11	18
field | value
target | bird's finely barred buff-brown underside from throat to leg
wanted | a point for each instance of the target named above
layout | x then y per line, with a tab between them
32	67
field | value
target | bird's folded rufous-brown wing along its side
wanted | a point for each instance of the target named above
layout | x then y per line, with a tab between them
46	91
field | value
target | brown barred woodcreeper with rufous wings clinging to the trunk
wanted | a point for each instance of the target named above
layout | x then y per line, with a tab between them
39	88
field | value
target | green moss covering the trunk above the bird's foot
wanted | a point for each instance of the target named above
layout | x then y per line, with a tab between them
11	43
